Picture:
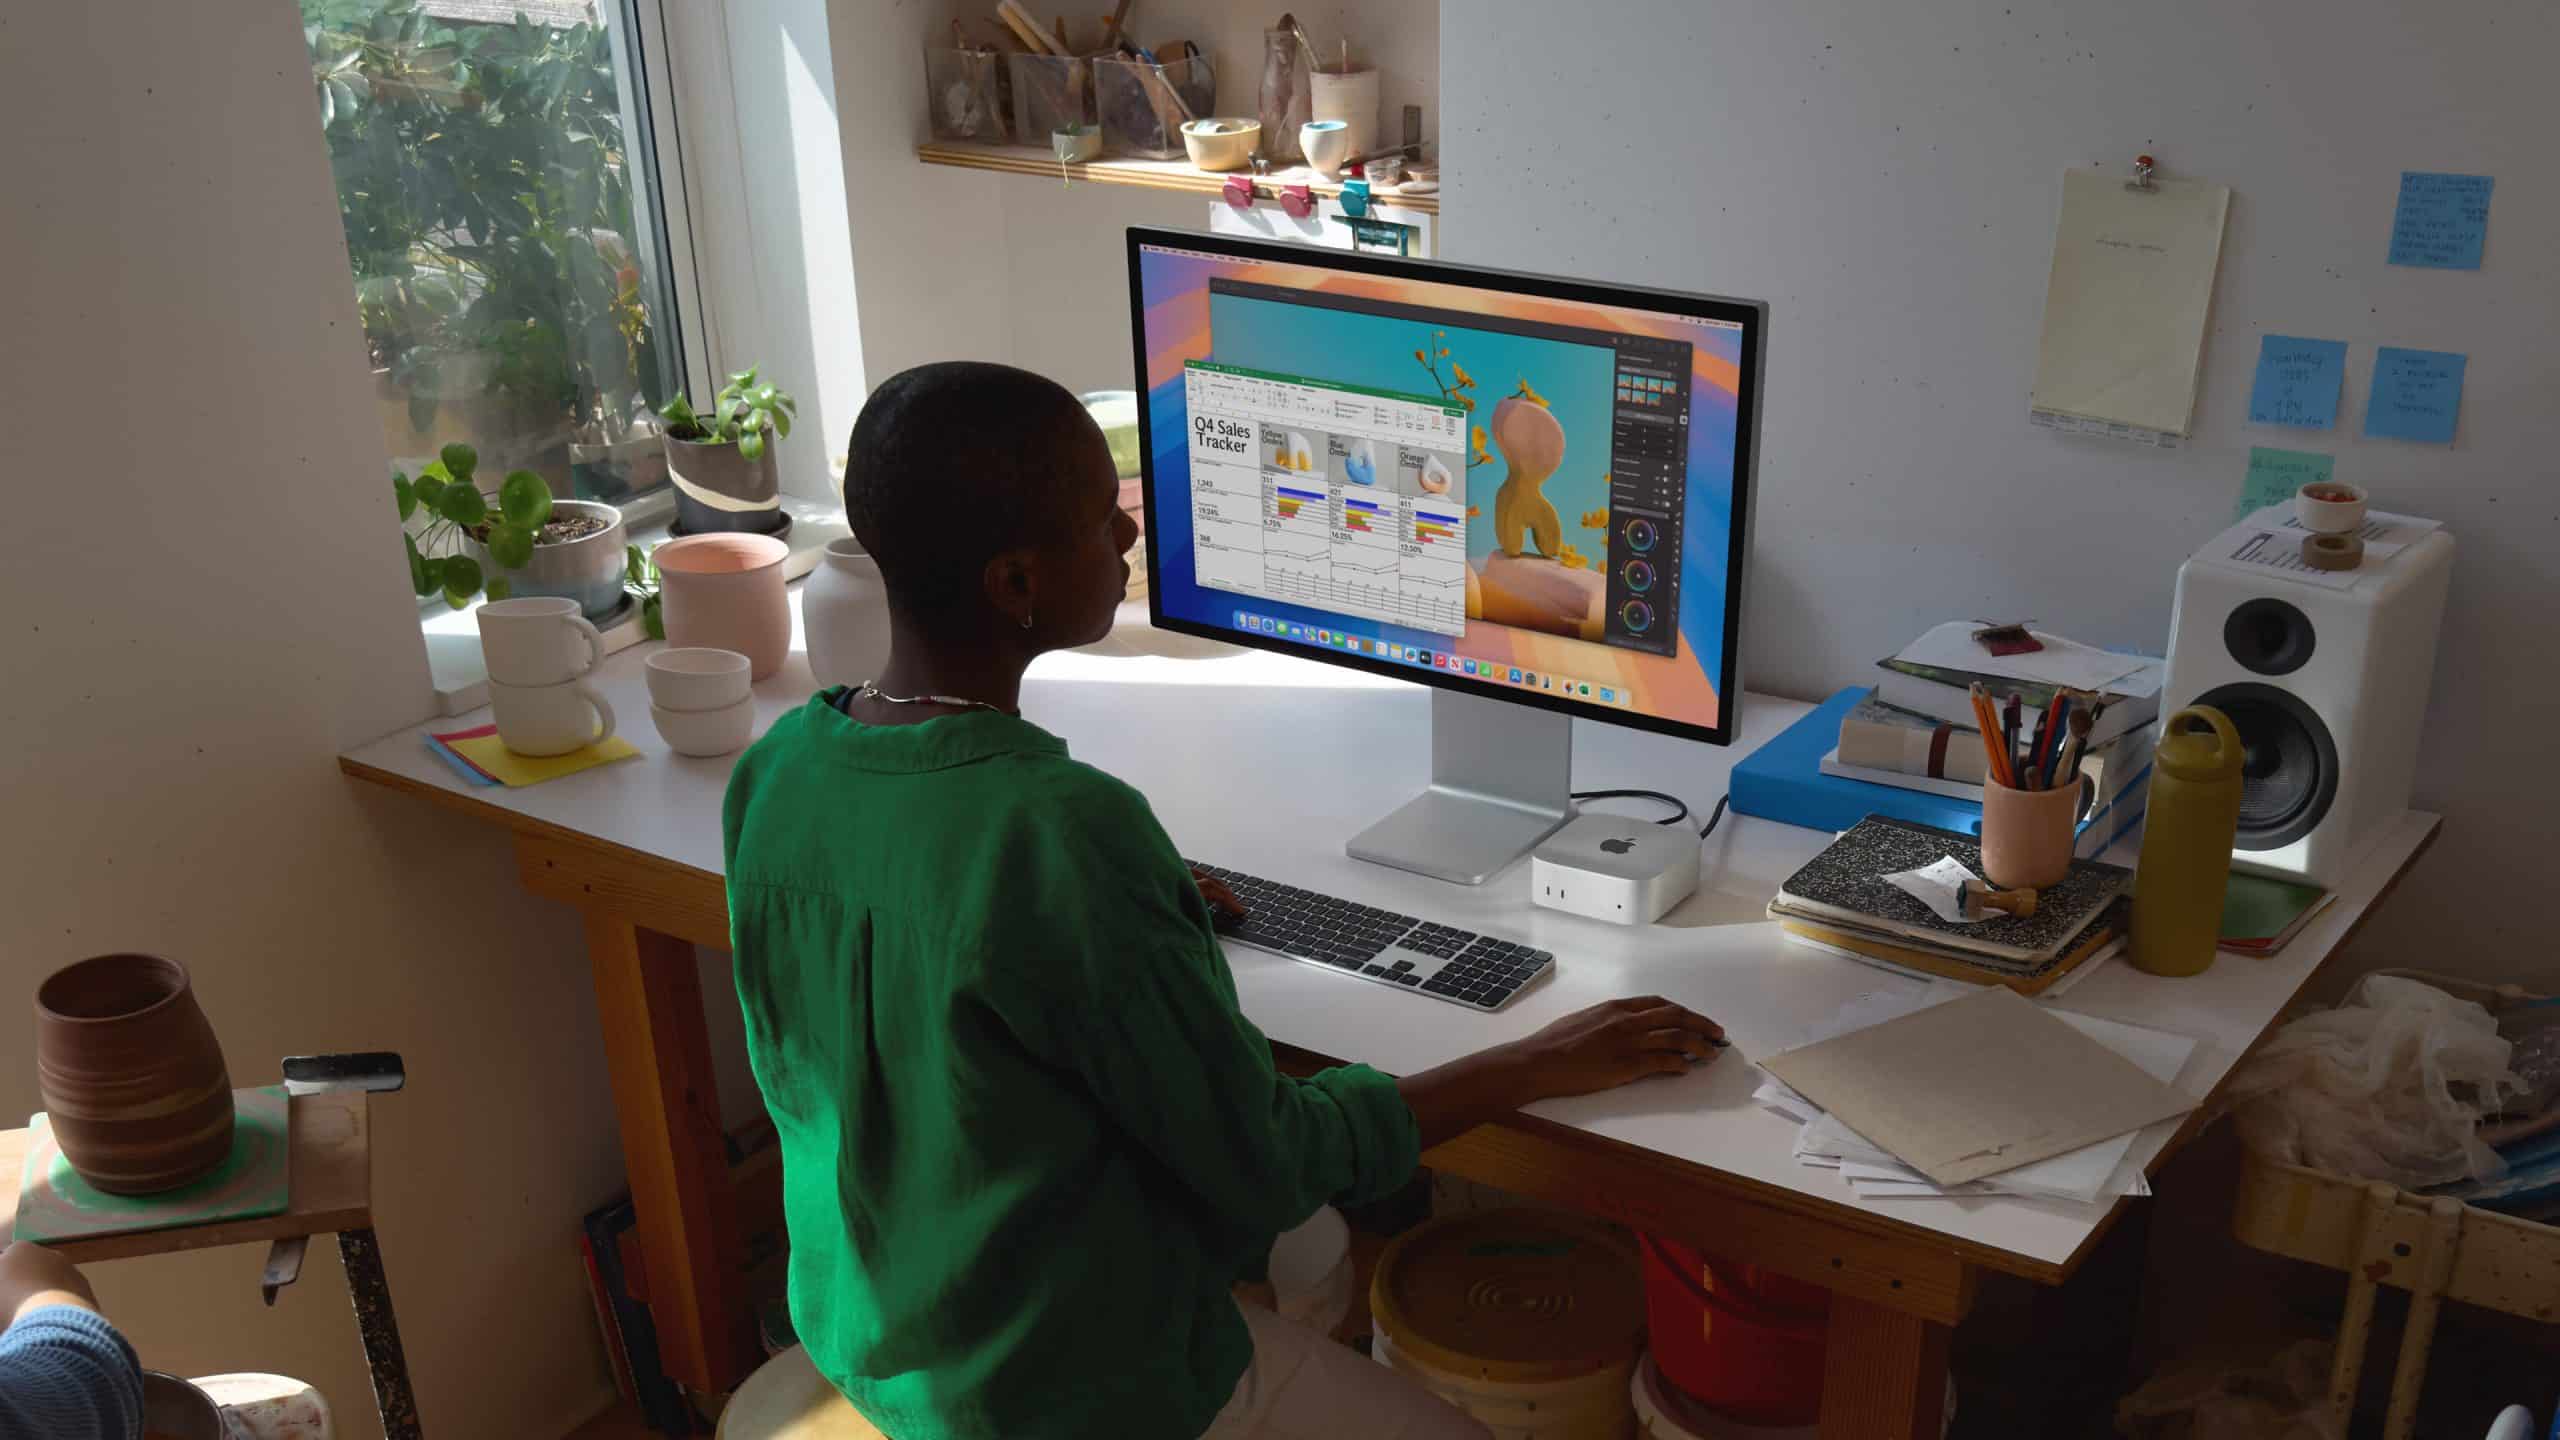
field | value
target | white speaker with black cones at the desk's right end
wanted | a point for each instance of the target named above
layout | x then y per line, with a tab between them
2328	691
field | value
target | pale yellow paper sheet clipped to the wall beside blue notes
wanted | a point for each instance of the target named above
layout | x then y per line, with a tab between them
2134	275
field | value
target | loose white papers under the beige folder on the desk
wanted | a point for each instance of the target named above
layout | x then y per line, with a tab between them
2088	1175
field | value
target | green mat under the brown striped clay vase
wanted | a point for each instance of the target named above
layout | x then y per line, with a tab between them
255	1182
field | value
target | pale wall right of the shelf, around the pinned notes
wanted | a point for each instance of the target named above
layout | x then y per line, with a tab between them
1888	178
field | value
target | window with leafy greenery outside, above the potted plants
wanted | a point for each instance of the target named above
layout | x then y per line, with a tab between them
506	229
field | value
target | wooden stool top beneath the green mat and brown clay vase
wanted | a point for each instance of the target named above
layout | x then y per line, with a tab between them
332	1188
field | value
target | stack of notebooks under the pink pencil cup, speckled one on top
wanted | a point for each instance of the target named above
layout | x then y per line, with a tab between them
1842	903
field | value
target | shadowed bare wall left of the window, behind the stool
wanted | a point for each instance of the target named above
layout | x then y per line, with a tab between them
201	606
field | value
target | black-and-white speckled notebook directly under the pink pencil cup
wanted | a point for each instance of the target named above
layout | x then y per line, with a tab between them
1847	885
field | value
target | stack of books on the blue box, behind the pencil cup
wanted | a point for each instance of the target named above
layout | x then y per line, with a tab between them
1916	726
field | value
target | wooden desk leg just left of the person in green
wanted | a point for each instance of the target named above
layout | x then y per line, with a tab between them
659	1052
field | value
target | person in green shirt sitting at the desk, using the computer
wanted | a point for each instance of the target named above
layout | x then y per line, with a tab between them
1028	1136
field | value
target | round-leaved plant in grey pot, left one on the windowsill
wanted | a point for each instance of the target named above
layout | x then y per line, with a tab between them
516	542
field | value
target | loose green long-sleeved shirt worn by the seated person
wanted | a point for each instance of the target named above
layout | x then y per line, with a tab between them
1028	1136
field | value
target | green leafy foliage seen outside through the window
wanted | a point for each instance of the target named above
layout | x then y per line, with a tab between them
485	188
